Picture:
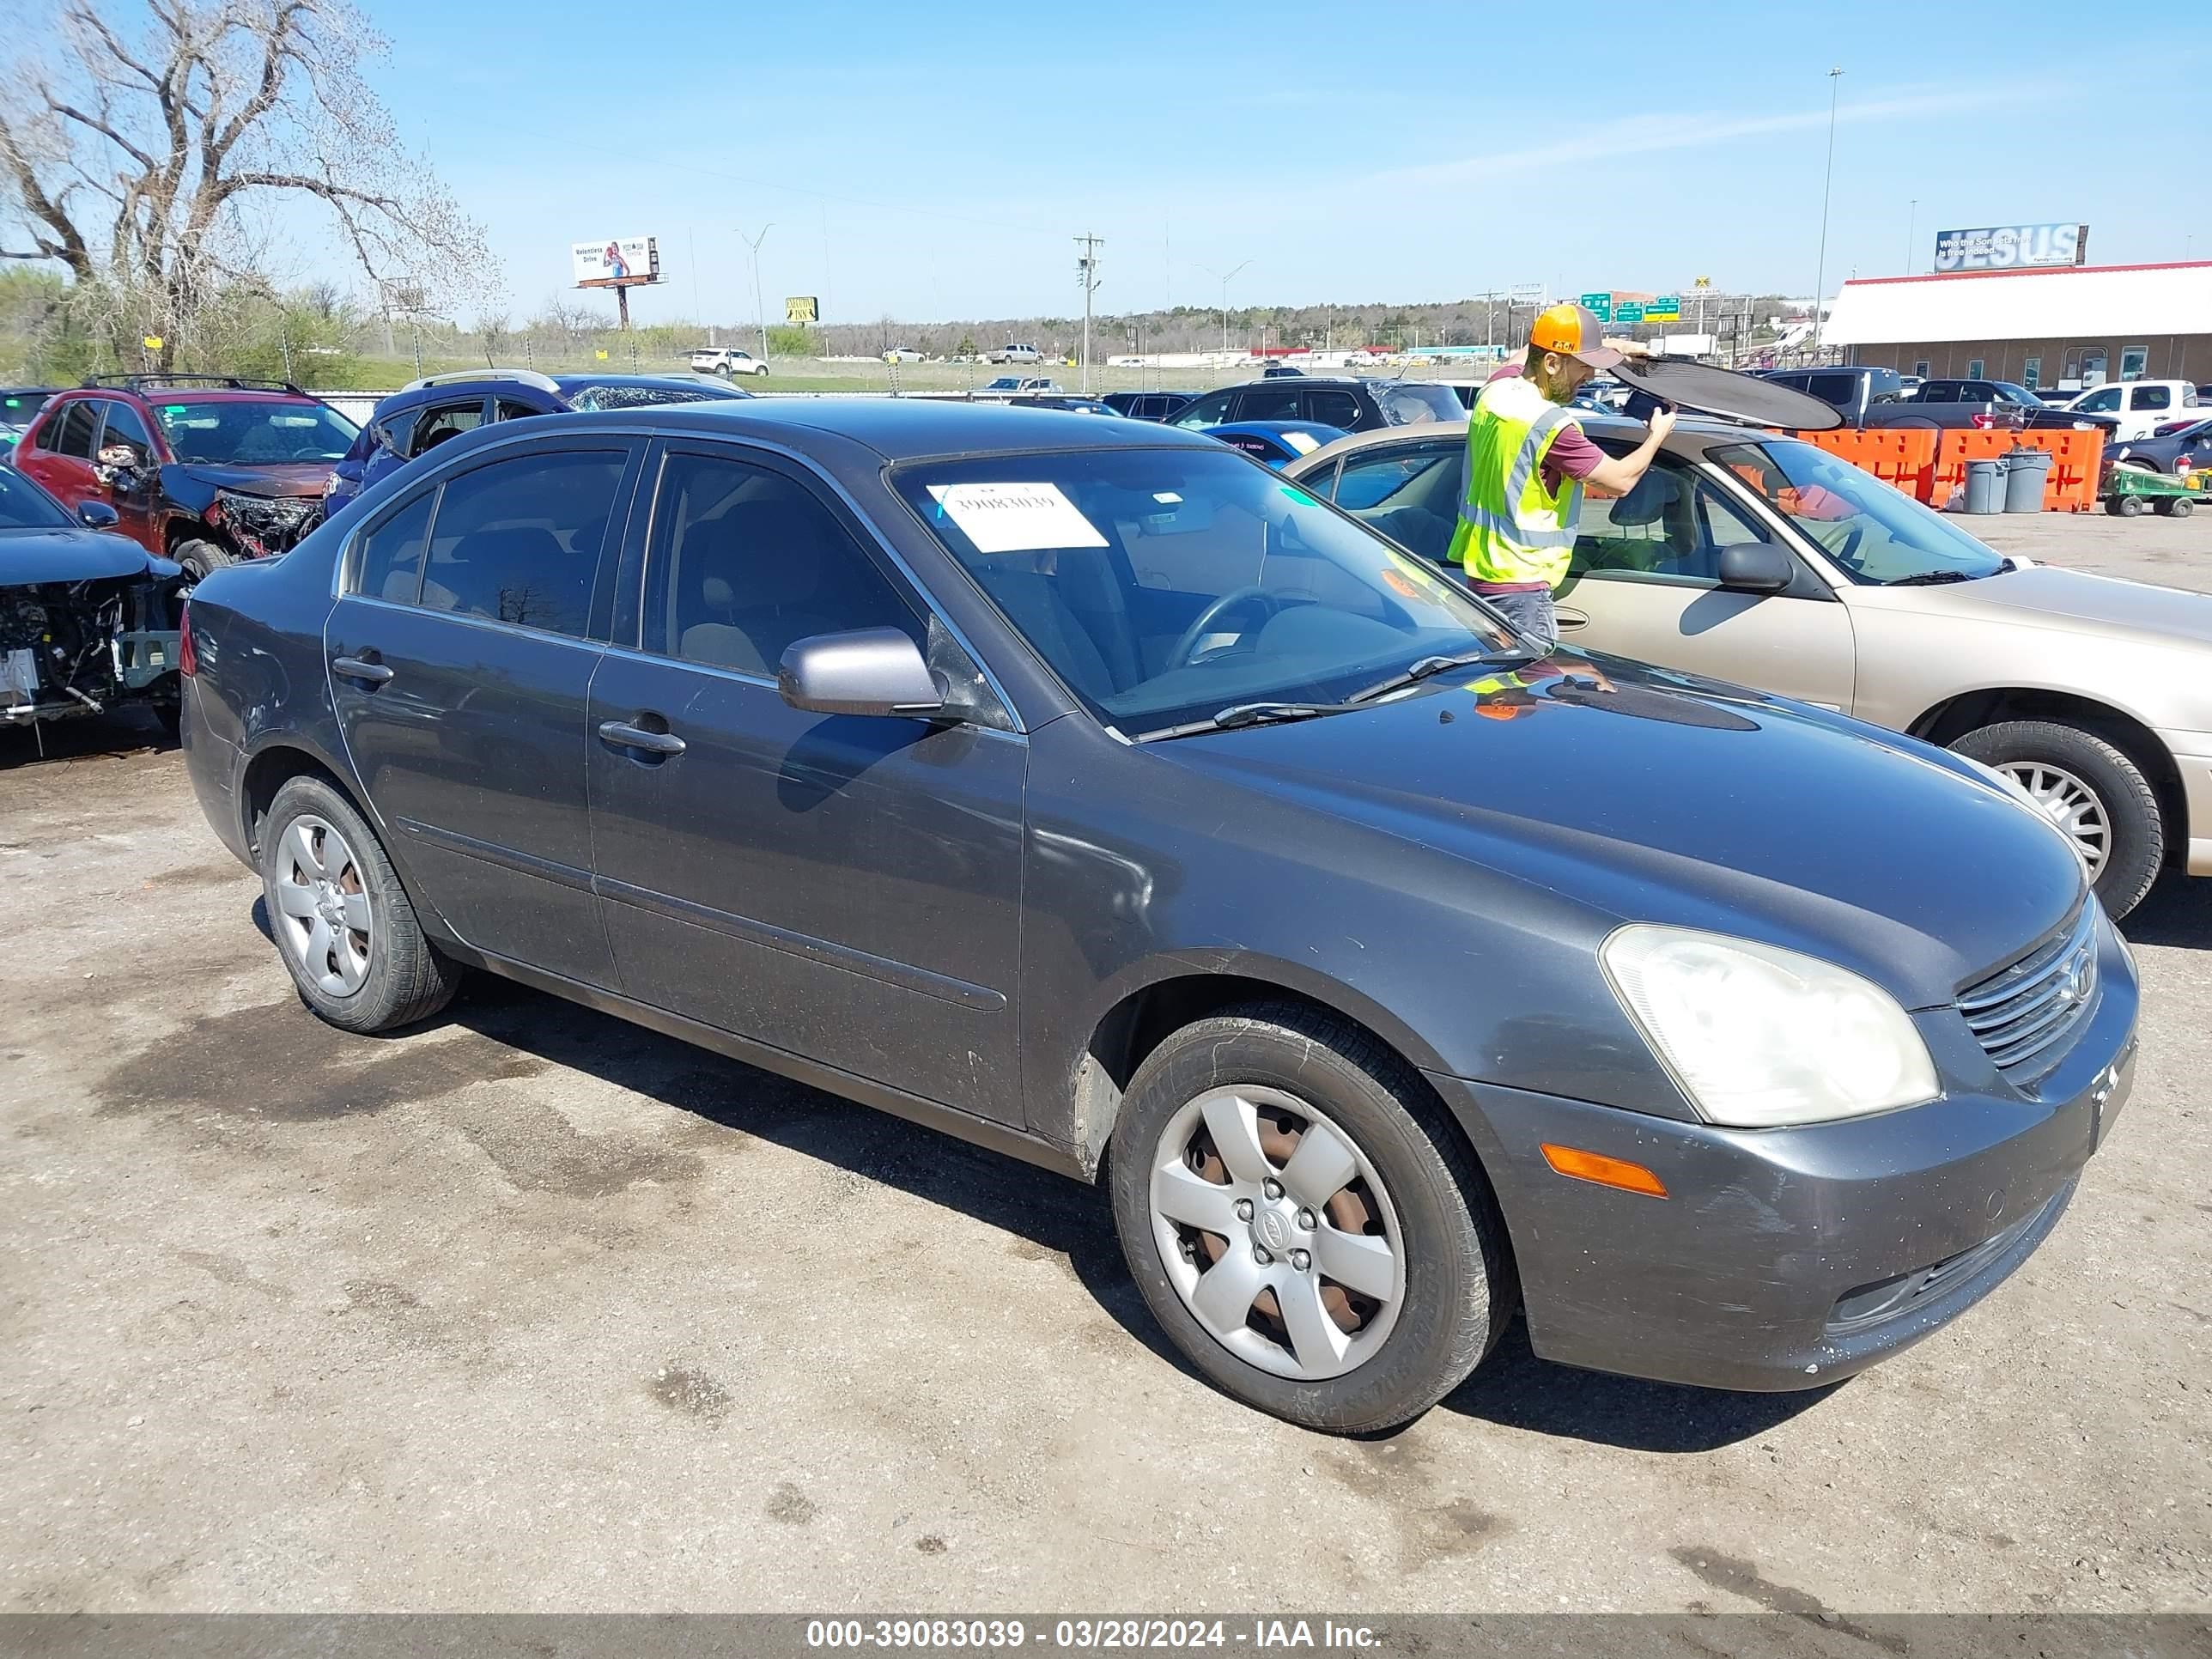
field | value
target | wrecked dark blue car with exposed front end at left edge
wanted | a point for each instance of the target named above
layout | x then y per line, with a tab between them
87	618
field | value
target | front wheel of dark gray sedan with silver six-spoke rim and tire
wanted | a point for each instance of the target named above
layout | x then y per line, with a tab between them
1432	1242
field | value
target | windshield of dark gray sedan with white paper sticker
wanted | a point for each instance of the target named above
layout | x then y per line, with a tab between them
1167	585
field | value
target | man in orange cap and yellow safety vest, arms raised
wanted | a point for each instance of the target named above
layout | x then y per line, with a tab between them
1527	466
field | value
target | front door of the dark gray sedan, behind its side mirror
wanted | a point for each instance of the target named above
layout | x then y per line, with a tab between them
831	886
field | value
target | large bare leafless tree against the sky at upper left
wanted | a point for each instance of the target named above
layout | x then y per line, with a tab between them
145	149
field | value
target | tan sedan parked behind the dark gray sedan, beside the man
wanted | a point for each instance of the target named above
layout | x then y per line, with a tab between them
1764	561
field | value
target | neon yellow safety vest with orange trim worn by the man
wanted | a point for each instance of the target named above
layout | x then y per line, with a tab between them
1512	528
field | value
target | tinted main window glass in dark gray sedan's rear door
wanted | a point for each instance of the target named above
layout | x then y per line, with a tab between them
519	541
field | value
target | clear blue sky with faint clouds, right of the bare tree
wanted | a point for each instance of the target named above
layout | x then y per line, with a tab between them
935	163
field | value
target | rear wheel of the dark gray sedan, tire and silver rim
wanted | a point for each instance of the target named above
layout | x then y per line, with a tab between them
371	979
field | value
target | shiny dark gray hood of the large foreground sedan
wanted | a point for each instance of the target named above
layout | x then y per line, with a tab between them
1680	802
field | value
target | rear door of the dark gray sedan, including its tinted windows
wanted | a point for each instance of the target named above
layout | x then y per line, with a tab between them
461	658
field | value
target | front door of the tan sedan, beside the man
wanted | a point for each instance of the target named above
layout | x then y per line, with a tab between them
1645	583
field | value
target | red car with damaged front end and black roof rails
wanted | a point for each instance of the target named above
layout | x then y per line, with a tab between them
200	468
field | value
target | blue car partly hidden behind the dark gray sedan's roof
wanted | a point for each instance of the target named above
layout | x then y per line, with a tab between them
444	406
